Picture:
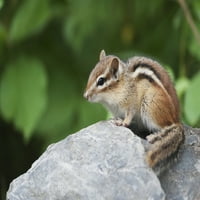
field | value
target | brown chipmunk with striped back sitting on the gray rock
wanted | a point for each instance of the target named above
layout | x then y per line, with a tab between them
139	90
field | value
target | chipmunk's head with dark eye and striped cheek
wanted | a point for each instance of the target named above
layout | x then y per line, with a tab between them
104	78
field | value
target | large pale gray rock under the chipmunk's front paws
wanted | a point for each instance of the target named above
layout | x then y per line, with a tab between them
101	162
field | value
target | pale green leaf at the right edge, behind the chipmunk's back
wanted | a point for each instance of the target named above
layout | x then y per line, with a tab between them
192	99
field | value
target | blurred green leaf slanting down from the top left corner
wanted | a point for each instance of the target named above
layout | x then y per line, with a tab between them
30	18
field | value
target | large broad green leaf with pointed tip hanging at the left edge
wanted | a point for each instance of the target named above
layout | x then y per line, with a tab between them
23	93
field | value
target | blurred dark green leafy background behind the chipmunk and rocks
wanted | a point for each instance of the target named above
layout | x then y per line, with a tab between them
49	47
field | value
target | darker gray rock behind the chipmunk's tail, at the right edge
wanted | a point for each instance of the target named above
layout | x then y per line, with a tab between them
182	180
